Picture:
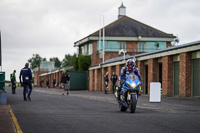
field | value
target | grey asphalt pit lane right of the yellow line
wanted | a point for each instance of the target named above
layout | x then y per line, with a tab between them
95	112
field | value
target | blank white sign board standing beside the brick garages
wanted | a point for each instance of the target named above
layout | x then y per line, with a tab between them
155	92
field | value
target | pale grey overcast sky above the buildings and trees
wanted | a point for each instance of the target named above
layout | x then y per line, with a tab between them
50	27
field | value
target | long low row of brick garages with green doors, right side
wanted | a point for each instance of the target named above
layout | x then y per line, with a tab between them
177	68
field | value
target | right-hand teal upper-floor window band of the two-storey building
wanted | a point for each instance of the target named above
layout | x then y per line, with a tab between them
151	46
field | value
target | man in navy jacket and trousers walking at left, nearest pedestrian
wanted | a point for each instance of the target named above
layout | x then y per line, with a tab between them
26	76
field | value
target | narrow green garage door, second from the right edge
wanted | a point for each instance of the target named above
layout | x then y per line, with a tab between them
176	78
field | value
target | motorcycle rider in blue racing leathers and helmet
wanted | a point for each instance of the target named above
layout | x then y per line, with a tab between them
128	69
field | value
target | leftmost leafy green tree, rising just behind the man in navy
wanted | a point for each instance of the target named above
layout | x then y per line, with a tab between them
35	61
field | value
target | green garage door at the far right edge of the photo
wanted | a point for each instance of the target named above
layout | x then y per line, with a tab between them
196	73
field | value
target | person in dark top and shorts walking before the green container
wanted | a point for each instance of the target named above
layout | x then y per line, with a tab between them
65	82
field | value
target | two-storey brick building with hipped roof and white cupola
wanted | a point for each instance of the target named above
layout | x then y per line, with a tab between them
124	33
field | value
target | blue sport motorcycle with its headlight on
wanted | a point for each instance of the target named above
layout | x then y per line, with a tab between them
129	93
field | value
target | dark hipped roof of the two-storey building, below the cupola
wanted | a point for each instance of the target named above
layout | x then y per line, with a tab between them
128	27
